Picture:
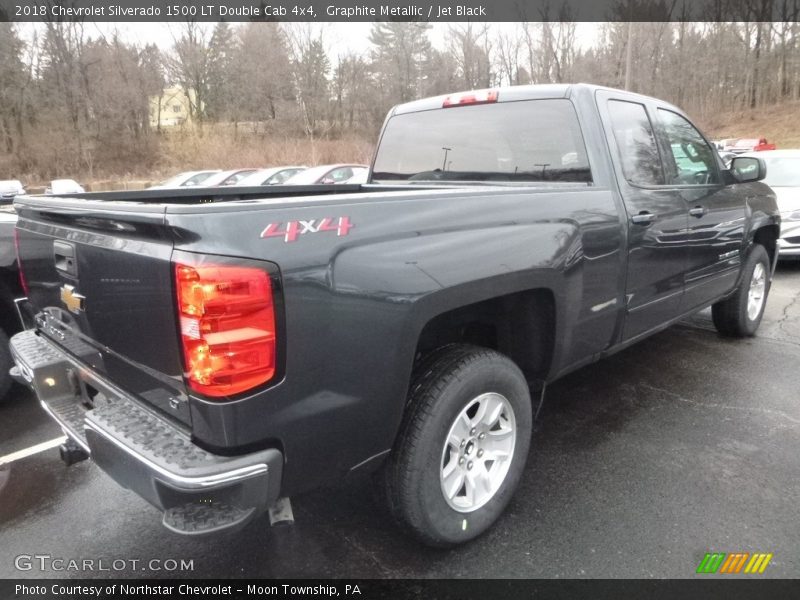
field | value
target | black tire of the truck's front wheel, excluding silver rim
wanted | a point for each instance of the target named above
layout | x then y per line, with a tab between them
731	316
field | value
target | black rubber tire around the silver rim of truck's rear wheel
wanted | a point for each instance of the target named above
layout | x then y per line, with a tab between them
446	383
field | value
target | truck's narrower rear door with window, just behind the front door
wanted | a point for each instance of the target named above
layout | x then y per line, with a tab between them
657	214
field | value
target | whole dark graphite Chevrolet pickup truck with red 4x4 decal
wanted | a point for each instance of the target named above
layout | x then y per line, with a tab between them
215	351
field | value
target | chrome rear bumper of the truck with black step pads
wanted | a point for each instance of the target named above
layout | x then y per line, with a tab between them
143	451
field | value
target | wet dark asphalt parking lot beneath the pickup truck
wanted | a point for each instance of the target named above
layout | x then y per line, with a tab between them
642	463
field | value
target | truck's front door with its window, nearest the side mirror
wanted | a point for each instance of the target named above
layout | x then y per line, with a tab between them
716	212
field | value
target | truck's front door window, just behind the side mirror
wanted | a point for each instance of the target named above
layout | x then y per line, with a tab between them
695	162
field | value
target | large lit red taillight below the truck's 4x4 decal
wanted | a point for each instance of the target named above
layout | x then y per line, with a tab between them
227	320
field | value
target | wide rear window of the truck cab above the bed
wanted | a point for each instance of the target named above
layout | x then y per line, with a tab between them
534	140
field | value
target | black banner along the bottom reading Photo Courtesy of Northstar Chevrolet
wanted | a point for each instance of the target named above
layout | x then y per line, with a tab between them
452	589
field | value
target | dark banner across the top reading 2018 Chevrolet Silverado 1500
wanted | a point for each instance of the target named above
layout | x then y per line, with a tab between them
397	10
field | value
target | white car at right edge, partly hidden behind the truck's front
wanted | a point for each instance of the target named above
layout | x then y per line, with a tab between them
783	176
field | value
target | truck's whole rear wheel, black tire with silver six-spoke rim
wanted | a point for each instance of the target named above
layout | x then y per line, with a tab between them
462	446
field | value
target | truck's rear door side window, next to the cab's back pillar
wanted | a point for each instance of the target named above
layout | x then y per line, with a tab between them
641	163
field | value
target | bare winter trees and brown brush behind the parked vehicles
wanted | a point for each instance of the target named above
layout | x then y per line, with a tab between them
75	101
